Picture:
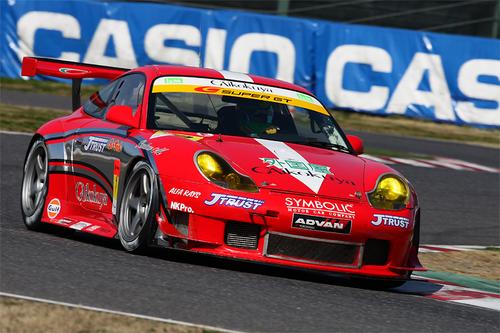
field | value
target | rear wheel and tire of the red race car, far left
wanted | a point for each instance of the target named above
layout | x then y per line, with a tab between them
34	185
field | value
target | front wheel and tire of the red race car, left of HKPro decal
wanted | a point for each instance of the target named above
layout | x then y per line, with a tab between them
138	208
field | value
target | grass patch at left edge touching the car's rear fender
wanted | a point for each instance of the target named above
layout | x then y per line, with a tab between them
25	119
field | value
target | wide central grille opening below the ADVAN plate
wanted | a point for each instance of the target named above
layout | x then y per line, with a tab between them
308	250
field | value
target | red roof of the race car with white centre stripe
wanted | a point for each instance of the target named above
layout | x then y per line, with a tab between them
165	70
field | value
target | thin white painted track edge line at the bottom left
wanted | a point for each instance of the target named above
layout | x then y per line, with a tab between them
134	315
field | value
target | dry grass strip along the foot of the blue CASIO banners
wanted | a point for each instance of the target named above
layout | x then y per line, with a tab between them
394	125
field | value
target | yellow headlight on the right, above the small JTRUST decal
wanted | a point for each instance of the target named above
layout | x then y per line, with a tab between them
391	193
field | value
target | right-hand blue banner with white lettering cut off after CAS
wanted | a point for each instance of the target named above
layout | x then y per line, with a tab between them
415	74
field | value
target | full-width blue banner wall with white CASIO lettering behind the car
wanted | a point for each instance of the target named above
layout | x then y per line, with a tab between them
367	69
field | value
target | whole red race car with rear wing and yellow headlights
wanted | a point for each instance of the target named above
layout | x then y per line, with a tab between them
218	162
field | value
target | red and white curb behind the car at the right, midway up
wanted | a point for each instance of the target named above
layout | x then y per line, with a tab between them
436	162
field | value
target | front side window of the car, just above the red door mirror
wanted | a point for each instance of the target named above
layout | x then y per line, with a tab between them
129	91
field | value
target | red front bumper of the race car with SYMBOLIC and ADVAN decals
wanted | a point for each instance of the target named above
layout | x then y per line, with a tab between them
262	229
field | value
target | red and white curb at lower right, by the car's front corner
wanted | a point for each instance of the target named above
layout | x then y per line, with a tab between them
448	292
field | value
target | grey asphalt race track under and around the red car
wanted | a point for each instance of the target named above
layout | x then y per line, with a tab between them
458	208
